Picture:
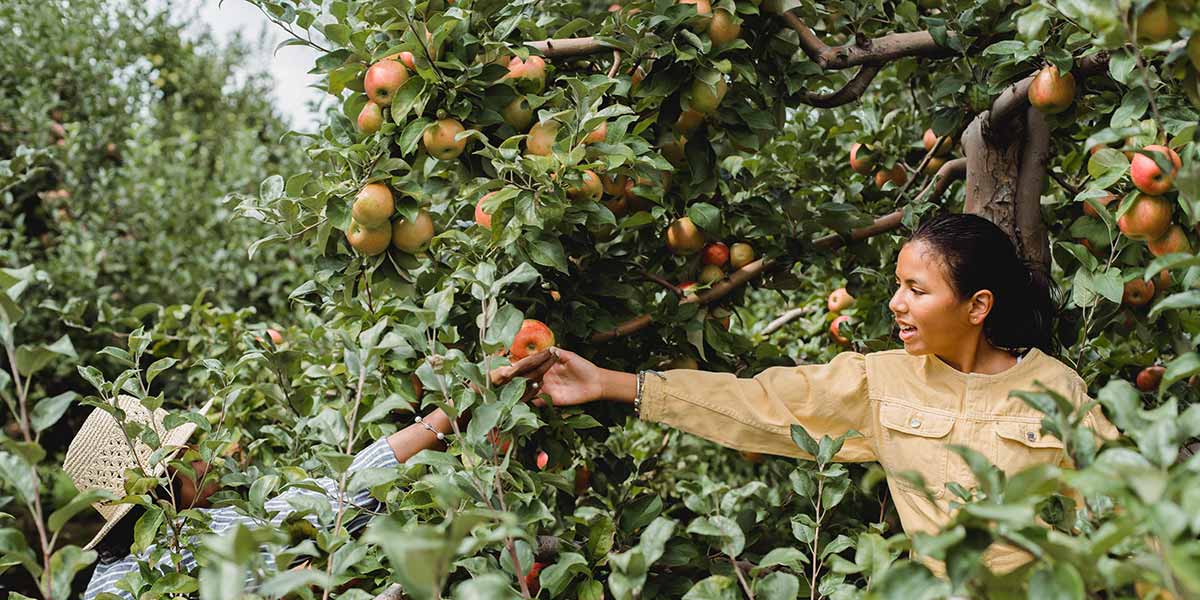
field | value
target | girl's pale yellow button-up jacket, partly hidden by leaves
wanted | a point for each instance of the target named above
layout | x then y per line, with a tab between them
908	410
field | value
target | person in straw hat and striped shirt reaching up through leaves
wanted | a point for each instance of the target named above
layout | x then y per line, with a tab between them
101	453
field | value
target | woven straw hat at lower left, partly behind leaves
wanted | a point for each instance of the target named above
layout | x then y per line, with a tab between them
100	454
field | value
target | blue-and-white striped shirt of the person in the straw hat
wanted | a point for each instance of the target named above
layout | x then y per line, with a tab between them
377	455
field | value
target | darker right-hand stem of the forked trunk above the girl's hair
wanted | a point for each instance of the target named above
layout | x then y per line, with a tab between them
1031	231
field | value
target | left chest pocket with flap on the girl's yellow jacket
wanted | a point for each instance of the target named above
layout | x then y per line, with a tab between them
914	440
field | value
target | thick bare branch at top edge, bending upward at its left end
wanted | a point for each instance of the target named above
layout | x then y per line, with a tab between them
879	51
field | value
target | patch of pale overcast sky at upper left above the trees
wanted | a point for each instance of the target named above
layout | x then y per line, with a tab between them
290	68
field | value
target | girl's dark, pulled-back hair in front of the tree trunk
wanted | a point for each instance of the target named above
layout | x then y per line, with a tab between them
979	255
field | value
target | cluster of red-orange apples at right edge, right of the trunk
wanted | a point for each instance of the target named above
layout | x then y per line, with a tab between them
1149	219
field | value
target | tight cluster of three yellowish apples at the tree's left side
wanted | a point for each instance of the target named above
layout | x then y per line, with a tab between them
371	227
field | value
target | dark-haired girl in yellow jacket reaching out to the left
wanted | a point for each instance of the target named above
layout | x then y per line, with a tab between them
976	323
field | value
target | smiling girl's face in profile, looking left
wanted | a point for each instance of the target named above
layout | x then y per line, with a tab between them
932	317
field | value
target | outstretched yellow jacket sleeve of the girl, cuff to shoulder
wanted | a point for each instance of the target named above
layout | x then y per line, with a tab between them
757	415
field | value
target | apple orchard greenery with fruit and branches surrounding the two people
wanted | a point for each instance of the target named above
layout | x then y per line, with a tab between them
159	219
